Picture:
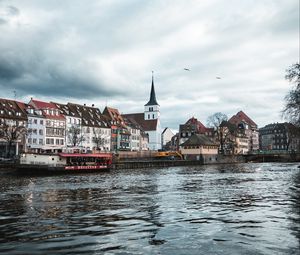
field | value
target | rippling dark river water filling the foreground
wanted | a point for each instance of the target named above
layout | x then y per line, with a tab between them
219	209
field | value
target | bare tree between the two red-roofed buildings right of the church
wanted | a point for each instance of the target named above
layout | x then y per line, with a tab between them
221	132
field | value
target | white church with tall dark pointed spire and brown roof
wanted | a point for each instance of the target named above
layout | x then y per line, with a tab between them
150	120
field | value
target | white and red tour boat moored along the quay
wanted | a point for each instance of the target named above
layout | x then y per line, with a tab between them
65	162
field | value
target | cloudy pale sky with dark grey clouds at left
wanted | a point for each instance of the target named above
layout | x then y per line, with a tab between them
103	52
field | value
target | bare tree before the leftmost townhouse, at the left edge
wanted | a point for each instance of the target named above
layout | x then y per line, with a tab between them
11	133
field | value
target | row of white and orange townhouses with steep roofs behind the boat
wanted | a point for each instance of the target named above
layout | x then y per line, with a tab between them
53	127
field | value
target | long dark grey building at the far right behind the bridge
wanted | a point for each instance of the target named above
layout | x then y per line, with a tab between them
279	137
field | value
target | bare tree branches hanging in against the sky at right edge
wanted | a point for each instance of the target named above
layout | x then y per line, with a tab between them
292	99
